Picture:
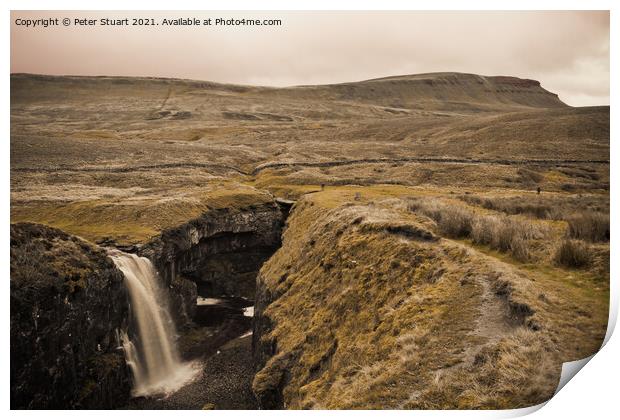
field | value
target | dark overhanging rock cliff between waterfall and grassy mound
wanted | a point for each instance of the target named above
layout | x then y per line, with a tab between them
217	254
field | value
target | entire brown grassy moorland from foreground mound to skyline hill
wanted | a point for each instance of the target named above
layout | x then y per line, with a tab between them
419	264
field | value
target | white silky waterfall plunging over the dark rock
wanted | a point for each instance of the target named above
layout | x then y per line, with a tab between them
151	352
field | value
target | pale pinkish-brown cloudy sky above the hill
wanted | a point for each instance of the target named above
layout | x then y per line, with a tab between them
568	52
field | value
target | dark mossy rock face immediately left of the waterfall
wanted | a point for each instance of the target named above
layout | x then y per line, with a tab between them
67	303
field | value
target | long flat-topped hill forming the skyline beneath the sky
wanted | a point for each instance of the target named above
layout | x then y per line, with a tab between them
433	91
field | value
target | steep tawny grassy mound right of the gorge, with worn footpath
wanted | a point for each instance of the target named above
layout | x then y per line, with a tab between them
373	305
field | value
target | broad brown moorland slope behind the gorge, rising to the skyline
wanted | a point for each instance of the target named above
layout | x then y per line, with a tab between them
80	143
